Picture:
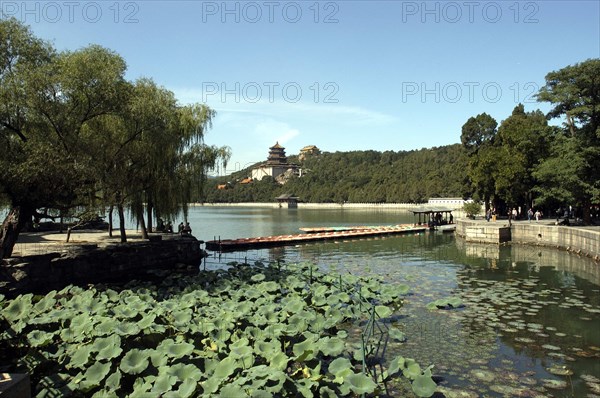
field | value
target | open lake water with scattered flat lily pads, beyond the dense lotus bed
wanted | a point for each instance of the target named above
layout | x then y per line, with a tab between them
530	325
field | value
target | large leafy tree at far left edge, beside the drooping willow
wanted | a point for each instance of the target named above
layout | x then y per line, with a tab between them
47	100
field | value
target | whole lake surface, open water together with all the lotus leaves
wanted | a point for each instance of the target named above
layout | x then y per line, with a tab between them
508	321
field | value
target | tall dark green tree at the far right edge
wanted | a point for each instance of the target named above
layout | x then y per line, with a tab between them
573	93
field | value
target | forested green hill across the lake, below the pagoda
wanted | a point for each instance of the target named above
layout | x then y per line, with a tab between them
358	176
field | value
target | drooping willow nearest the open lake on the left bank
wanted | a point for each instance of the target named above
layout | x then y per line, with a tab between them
152	154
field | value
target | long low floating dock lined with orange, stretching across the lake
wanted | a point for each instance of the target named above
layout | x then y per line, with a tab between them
229	245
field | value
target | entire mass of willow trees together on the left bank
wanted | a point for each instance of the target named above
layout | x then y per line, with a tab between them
76	134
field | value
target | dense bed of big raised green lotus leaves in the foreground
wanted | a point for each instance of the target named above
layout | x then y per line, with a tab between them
252	331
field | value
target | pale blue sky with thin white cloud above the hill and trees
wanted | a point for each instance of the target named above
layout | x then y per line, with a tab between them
341	75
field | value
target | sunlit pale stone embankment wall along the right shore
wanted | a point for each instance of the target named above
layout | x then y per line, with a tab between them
581	240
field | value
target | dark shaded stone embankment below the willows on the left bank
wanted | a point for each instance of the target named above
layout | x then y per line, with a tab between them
88	263
